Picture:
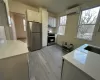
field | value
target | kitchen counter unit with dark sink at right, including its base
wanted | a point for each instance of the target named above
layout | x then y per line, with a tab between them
81	64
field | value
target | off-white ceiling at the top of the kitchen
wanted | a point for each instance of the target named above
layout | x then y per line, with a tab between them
54	6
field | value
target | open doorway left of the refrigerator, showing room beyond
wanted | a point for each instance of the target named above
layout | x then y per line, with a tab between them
18	26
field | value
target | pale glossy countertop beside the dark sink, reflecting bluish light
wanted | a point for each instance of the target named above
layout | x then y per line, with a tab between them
86	61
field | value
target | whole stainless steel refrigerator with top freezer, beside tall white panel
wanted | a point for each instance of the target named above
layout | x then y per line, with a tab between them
34	35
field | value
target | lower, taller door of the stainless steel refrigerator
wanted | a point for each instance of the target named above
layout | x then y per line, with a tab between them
36	41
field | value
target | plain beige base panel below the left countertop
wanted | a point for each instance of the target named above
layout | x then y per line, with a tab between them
14	68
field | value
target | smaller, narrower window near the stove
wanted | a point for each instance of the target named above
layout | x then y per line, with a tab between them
62	25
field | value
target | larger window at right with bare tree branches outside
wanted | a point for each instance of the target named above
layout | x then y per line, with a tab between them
87	23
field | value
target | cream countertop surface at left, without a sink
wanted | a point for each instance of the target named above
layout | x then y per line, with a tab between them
11	48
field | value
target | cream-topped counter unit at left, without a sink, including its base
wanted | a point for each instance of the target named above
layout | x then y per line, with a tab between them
13	60
